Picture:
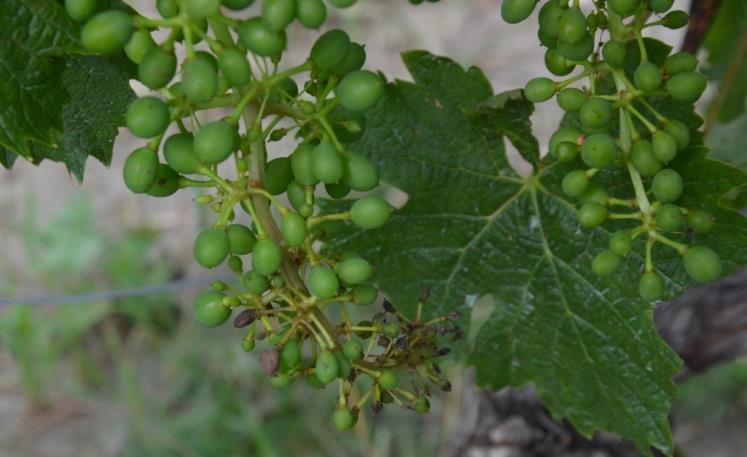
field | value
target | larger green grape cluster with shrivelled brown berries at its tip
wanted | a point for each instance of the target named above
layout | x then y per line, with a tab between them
290	286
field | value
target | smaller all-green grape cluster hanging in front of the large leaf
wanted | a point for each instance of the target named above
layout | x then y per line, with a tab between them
597	43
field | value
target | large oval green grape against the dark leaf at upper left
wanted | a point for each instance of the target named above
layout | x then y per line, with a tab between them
107	33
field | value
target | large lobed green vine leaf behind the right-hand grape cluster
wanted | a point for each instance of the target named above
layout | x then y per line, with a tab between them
473	227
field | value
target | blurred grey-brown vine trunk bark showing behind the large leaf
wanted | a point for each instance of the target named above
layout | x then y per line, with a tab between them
706	326
